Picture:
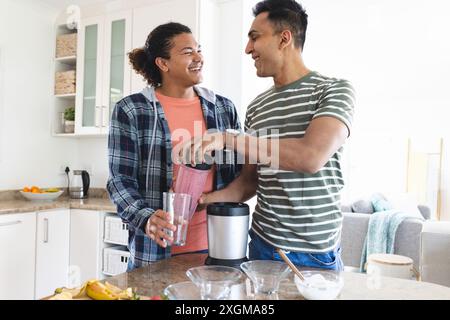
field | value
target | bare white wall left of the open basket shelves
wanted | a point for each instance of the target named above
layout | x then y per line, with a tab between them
29	155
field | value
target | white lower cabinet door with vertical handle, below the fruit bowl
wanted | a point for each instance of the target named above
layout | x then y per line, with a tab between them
52	251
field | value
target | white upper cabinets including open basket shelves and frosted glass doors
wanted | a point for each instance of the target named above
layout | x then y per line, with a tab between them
100	67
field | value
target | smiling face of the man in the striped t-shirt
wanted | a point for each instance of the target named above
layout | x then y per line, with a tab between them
264	46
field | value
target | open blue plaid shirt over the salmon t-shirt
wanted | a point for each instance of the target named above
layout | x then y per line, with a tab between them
129	140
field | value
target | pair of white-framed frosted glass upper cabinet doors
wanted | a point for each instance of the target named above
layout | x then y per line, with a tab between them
103	72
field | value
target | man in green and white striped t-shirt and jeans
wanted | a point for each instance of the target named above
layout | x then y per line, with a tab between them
309	116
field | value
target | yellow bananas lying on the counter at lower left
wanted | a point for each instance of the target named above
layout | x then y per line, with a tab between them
96	290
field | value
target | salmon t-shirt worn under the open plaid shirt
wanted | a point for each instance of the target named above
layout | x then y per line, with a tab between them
185	116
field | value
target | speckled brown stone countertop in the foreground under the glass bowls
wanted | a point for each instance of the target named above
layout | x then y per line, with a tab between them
151	280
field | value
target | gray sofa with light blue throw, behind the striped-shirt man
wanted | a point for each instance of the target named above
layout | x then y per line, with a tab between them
354	230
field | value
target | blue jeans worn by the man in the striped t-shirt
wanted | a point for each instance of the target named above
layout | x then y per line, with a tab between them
261	250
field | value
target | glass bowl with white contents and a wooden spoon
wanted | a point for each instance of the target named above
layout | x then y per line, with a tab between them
320	284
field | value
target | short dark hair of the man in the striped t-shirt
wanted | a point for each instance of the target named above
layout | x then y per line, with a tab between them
285	14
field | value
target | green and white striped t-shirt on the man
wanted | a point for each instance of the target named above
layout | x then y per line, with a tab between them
298	211
